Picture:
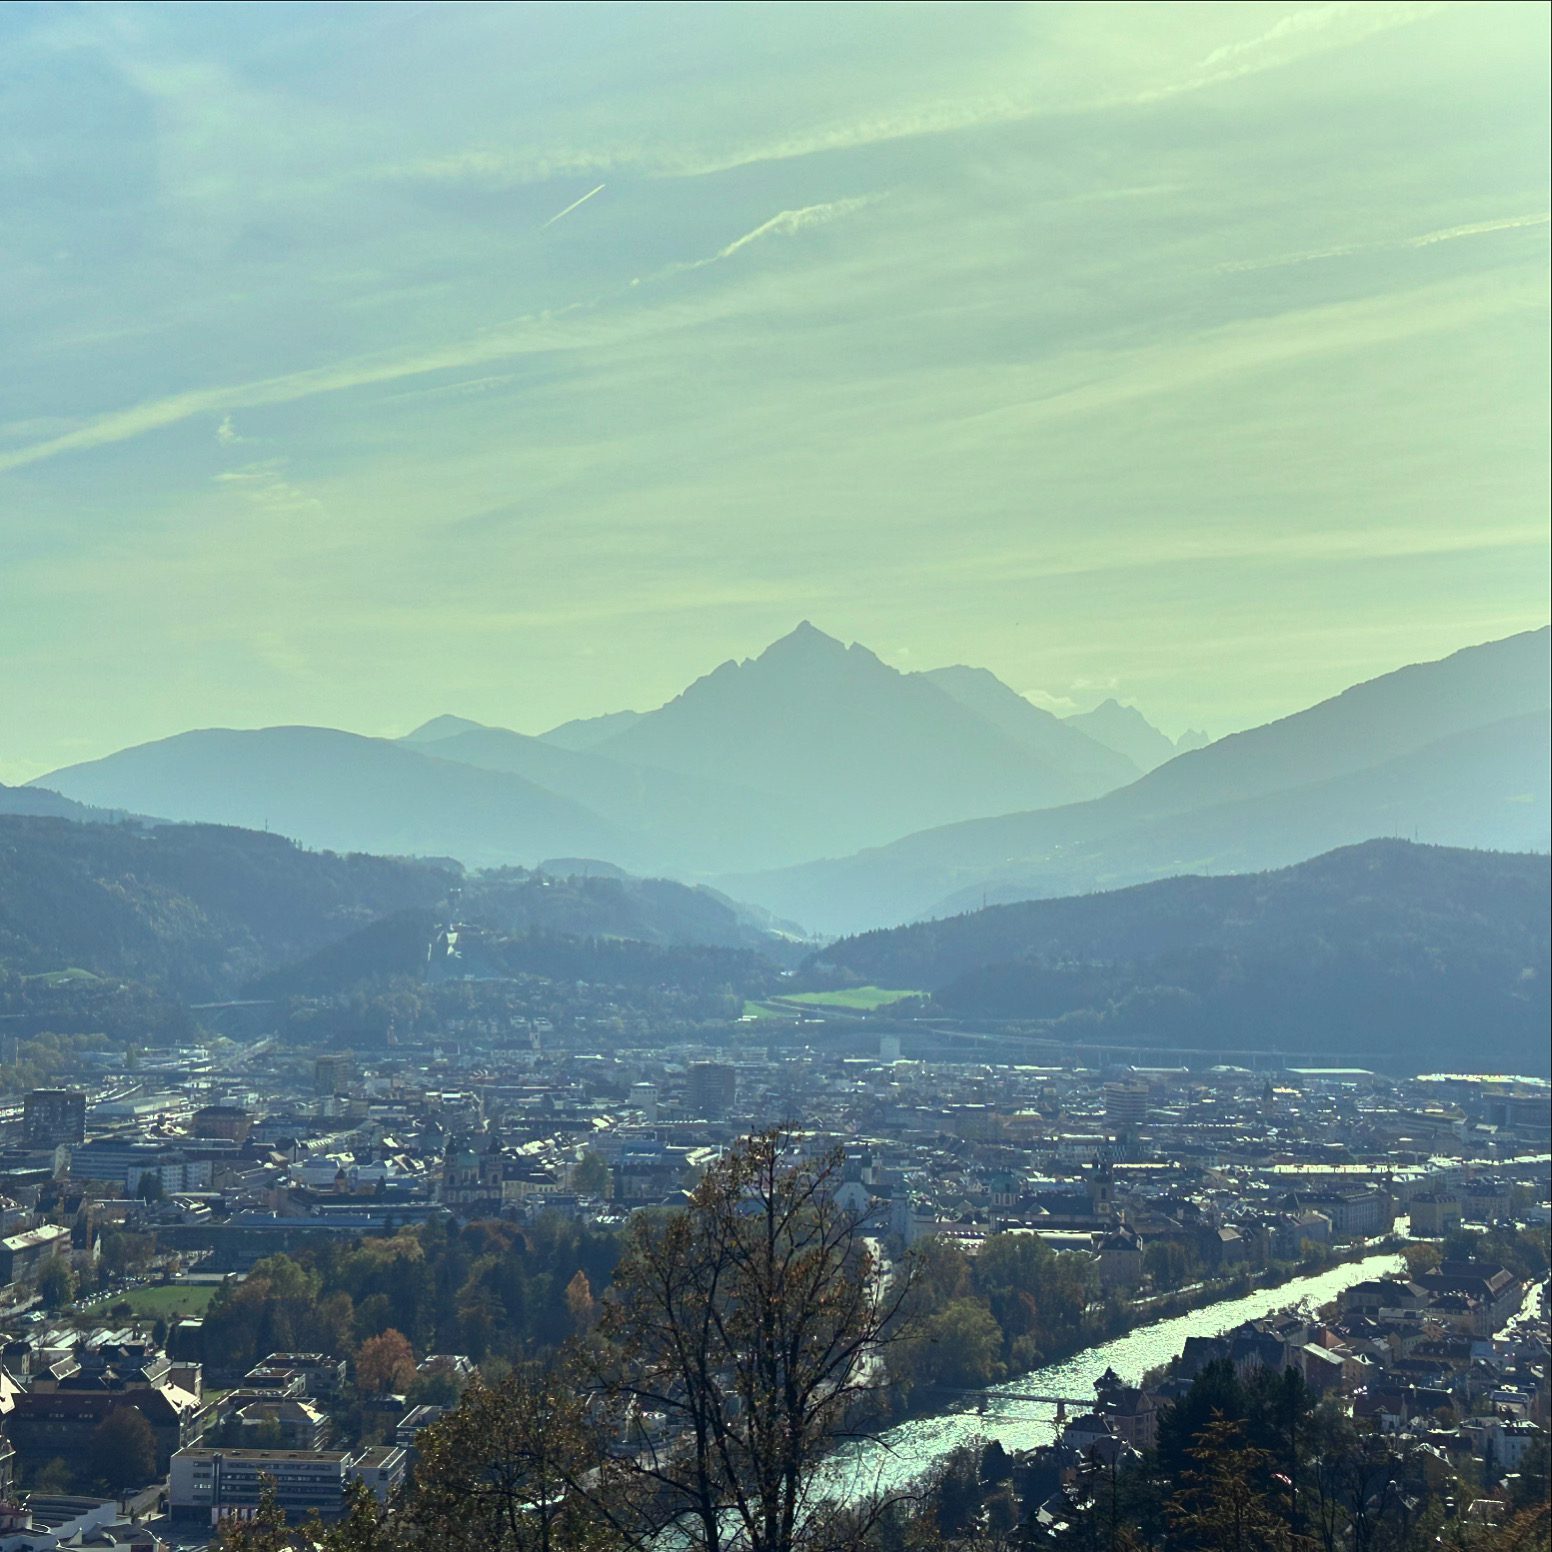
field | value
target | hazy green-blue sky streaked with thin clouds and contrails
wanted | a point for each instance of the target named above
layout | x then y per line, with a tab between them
364	364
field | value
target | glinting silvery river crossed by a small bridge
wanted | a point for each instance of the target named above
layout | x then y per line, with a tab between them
909	1450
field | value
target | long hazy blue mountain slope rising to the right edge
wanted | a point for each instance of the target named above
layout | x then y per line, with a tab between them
1453	752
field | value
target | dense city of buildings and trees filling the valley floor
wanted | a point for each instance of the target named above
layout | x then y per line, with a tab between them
237	1269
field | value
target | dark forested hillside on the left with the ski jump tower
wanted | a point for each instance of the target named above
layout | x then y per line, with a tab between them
206	912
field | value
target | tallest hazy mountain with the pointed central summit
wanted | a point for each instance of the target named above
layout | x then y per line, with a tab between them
867	752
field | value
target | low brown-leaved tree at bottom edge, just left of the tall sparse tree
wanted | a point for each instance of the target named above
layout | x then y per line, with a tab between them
513	1469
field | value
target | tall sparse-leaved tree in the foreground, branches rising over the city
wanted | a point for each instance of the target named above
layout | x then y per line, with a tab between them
755	1323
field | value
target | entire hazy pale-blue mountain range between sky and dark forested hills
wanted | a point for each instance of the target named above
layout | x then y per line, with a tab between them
836	791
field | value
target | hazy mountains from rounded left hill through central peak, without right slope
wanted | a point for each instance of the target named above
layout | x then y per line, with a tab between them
812	749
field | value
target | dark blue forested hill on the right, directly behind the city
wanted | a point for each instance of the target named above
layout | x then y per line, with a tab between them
1385	954
